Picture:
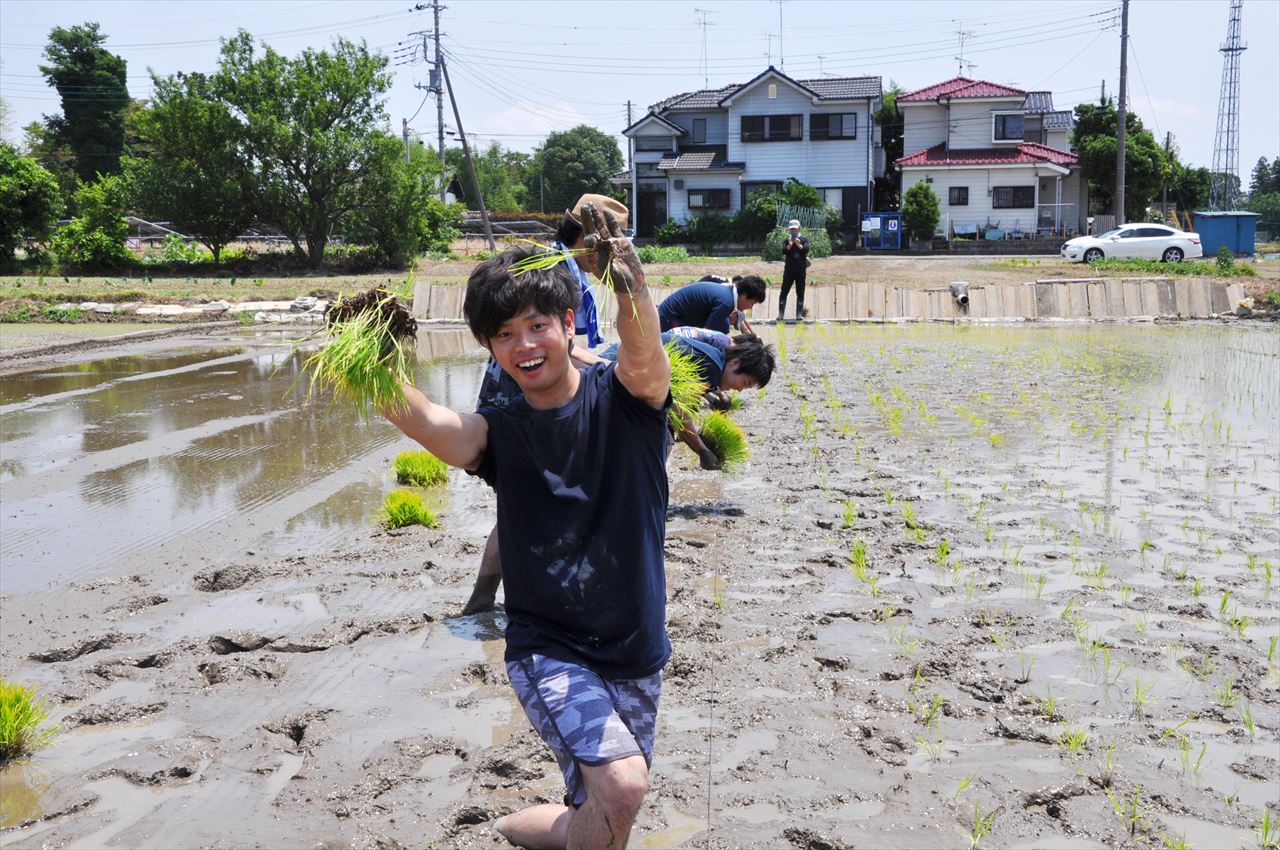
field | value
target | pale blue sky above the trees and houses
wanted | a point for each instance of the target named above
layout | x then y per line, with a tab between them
527	68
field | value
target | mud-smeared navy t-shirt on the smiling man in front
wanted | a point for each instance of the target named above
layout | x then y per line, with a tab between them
582	519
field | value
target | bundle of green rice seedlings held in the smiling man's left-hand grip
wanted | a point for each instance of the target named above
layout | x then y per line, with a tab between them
371	350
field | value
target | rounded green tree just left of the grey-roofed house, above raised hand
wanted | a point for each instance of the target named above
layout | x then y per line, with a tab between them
572	164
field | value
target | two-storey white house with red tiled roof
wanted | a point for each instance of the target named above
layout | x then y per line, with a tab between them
999	159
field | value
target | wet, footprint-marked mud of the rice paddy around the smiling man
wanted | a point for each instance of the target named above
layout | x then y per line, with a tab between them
1026	573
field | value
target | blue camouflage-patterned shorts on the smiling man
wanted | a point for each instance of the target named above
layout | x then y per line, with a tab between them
584	719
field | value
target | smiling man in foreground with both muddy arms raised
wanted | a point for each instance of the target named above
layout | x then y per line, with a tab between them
578	465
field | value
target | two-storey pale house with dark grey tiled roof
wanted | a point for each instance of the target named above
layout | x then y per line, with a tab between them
707	152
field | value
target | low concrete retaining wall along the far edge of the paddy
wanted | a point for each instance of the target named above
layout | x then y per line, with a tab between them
1085	299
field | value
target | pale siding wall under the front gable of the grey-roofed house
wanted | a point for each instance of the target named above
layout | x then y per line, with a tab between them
830	163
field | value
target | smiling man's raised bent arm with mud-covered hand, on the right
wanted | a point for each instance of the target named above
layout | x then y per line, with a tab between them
643	367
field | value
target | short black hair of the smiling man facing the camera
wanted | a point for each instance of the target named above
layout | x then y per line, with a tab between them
495	295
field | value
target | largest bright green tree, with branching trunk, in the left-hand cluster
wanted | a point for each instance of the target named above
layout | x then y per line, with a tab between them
313	126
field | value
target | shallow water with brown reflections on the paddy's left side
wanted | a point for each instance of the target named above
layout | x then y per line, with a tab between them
109	464
